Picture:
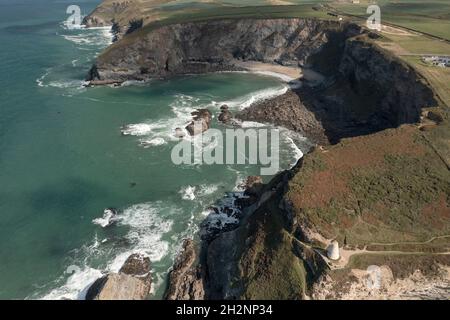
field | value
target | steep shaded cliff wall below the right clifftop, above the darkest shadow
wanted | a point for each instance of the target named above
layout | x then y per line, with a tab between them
398	91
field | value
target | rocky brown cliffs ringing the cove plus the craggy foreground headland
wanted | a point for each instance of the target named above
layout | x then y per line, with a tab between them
367	90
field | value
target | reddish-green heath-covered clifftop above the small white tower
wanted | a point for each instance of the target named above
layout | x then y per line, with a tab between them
387	187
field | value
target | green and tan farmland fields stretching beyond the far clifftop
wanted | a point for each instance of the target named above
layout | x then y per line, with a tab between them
432	17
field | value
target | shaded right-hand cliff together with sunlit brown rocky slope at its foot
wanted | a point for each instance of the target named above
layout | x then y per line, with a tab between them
367	90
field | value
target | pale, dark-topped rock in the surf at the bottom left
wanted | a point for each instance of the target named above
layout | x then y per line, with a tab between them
133	282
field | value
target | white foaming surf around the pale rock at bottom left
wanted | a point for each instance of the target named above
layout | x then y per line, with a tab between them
146	230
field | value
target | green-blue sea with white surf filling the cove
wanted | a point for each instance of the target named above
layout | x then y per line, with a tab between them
63	158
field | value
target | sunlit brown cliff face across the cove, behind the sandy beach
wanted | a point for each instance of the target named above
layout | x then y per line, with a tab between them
213	46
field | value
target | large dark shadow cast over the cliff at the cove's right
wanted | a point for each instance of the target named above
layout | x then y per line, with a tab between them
367	89
